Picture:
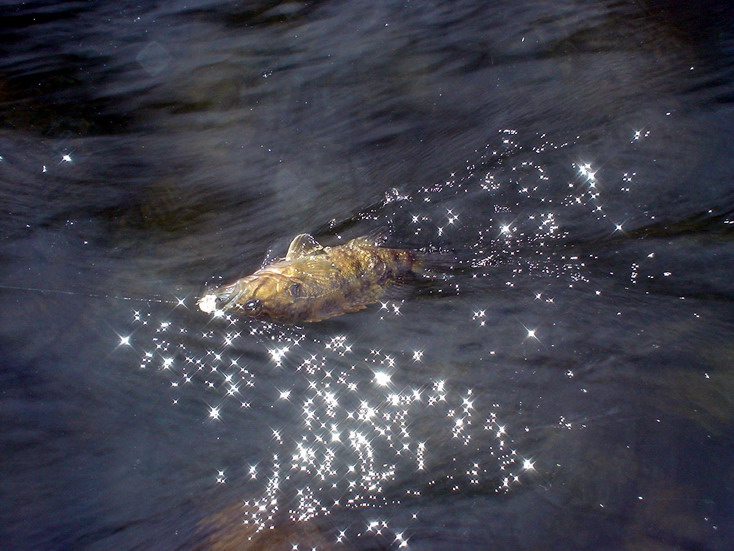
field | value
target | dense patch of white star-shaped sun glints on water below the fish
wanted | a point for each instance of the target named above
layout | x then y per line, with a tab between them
356	431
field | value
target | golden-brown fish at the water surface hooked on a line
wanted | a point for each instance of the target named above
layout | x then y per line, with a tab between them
313	283
